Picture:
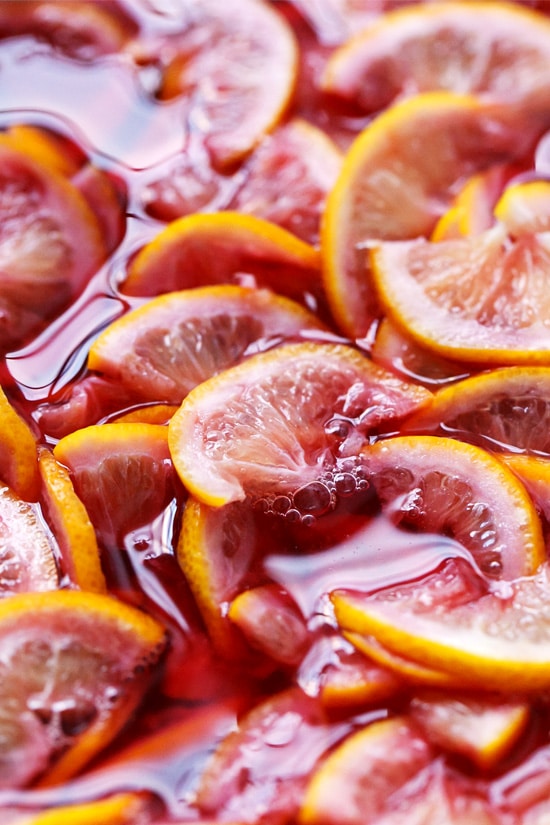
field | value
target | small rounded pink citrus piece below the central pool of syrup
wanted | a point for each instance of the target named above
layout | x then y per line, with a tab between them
271	623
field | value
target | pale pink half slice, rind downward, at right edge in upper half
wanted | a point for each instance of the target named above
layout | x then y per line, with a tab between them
480	299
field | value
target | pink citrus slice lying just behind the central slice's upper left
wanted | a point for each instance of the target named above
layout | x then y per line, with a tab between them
163	349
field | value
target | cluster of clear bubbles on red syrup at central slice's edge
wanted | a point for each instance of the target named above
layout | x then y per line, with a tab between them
315	498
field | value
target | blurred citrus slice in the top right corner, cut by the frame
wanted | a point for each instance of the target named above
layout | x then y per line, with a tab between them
495	50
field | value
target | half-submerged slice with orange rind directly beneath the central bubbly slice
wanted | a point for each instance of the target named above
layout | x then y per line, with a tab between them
215	550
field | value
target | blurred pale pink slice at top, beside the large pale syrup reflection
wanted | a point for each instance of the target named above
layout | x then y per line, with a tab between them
220	67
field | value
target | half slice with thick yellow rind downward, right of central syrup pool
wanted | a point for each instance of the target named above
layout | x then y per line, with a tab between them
493	641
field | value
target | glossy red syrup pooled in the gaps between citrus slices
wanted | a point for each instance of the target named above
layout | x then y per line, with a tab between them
200	696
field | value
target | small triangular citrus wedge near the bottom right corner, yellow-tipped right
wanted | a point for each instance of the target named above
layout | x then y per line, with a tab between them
482	729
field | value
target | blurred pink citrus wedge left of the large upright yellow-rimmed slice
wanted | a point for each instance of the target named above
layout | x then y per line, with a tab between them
288	176
